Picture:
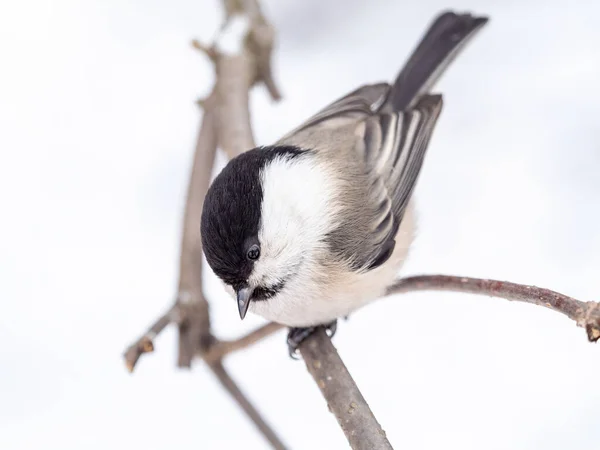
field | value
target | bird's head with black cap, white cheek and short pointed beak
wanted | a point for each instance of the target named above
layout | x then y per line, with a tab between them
264	222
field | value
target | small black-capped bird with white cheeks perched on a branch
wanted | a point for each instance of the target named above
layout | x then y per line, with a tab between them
319	224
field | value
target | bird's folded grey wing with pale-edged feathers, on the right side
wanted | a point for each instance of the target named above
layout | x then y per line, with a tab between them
393	147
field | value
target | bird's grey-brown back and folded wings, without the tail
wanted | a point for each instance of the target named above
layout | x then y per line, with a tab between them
385	152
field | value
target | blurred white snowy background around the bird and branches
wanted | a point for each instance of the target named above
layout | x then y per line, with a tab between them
97	128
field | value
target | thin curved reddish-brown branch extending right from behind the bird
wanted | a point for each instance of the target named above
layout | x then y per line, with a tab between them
585	314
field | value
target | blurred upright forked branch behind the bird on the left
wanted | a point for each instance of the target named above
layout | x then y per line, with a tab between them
241	55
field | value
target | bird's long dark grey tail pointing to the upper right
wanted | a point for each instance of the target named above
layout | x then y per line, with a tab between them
445	38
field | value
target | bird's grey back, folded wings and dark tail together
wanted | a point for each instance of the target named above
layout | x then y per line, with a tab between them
378	135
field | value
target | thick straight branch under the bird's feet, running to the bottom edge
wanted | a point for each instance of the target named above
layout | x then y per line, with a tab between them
341	393
